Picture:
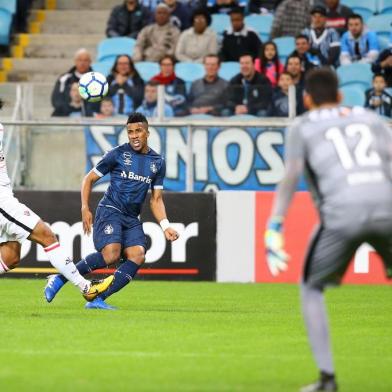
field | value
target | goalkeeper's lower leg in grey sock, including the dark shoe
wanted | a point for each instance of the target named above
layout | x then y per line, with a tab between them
315	315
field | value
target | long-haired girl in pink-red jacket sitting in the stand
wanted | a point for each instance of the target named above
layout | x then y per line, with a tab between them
268	63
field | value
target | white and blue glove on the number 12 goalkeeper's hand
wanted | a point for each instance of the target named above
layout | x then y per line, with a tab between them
273	238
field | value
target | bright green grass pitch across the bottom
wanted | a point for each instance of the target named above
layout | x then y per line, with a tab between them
169	336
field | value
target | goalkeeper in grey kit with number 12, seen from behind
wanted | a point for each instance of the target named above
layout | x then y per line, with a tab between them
347	156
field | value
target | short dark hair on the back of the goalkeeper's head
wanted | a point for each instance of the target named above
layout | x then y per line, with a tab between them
322	85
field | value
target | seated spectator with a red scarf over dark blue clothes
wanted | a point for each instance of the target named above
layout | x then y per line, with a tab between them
175	89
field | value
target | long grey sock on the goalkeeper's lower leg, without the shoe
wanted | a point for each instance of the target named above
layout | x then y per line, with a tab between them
315	315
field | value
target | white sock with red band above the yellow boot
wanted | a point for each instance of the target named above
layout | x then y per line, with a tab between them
65	266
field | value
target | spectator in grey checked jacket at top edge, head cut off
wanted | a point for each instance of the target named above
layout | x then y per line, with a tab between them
291	17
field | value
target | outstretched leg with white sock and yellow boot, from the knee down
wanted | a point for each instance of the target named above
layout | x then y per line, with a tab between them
44	236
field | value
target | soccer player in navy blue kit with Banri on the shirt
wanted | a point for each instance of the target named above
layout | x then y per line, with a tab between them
118	233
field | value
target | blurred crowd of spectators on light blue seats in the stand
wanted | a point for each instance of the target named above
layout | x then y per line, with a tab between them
225	57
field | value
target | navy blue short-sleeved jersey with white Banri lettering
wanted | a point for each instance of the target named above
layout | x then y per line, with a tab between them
131	175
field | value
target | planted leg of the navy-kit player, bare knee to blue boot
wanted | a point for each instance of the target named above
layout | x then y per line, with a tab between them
134	257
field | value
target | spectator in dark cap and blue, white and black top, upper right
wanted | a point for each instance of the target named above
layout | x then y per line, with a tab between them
324	42
